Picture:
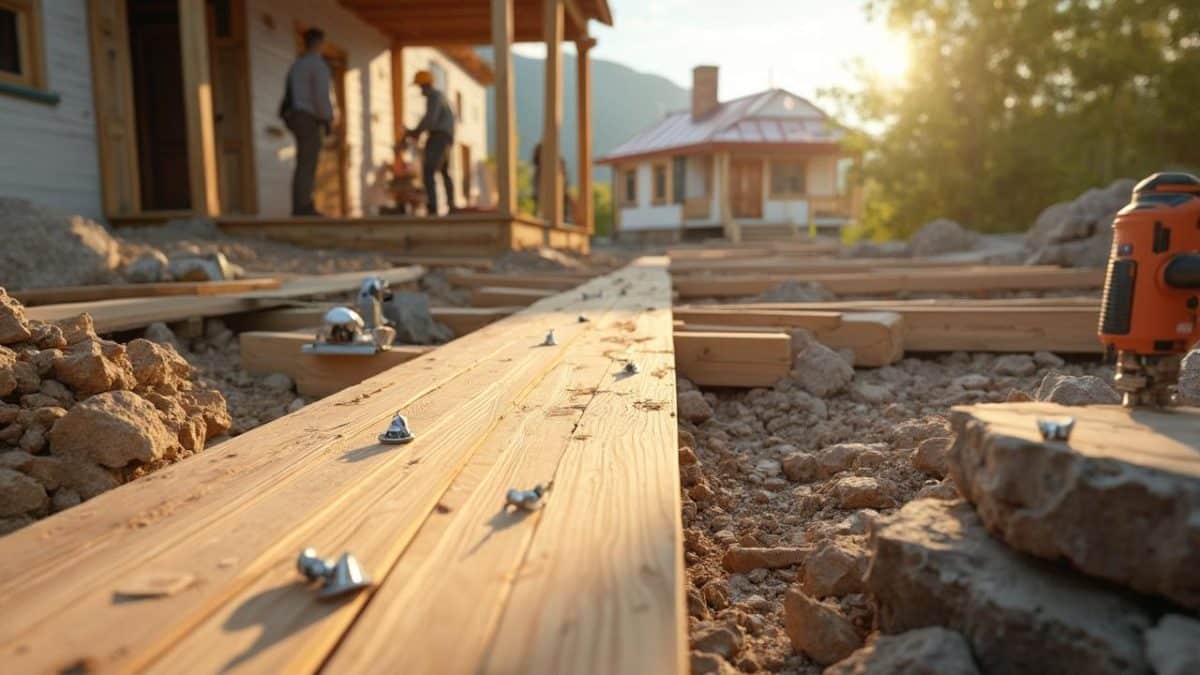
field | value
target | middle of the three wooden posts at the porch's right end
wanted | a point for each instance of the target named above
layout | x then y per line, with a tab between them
550	193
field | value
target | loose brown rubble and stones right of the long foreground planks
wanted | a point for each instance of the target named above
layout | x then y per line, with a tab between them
825	528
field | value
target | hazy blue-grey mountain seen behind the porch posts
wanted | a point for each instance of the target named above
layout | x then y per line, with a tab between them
623	103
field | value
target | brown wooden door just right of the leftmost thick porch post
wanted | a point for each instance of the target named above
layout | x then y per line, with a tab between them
230	69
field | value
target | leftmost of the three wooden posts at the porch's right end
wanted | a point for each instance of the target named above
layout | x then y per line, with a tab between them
506	115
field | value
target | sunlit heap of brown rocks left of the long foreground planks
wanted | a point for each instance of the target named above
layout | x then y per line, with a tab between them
81	415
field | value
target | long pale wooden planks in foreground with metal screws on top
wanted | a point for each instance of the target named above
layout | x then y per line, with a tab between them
464	586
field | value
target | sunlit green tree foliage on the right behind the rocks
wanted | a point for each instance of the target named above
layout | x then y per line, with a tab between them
1013	105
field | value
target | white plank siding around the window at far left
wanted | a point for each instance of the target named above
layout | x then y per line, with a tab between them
49	153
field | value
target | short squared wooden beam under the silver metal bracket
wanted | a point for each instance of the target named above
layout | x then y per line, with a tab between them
316	375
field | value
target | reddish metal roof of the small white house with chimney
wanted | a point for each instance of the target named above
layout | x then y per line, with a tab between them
773	117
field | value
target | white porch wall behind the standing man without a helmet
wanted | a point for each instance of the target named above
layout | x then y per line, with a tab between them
272	35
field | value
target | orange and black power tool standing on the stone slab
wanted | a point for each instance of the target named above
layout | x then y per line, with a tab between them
1153	289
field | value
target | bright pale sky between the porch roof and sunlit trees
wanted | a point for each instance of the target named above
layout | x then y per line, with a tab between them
796	45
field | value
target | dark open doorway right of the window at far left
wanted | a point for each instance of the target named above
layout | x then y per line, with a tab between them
159	105
